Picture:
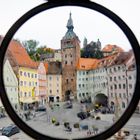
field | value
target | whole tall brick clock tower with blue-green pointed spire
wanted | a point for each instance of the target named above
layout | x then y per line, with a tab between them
70	49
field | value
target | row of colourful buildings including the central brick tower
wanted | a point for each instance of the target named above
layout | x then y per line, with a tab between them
72	77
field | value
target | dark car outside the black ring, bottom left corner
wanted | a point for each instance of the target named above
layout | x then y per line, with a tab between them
10	130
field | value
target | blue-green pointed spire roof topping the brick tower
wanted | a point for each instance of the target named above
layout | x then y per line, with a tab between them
70	33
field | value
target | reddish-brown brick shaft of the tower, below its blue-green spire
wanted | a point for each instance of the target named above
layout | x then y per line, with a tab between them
70	56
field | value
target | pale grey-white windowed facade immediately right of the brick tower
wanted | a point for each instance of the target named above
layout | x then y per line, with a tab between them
91	82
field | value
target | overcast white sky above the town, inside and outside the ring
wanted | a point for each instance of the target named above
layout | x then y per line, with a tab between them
49	27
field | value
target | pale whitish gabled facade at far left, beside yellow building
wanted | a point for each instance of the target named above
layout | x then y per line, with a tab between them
11	84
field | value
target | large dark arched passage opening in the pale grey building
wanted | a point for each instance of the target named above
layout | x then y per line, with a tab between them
101	100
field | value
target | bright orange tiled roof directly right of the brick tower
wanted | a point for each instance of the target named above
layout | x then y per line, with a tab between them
87	63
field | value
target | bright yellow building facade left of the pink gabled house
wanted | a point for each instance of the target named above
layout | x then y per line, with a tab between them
28	85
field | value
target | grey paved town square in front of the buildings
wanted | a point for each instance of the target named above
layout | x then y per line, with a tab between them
42	122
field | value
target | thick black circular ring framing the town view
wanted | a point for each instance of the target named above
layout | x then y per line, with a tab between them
85	4
